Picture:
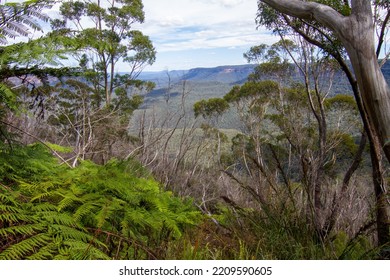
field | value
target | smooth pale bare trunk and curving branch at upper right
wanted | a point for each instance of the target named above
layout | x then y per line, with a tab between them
356	32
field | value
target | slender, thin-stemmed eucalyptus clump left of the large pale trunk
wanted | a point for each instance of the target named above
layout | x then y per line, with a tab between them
289	139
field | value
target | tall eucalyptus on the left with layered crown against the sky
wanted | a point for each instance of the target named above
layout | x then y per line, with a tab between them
91	113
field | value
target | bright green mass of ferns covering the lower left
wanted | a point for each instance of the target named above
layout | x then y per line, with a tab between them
115	211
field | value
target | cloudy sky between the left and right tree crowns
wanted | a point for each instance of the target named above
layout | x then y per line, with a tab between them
201	33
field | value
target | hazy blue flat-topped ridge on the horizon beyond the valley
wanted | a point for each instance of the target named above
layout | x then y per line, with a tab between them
215	82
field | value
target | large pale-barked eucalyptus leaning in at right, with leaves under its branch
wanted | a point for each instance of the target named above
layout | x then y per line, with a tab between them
352	25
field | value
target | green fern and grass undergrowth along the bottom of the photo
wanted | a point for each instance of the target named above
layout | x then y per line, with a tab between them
118	211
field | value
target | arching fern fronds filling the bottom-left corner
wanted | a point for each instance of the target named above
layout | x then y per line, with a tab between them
42	234
